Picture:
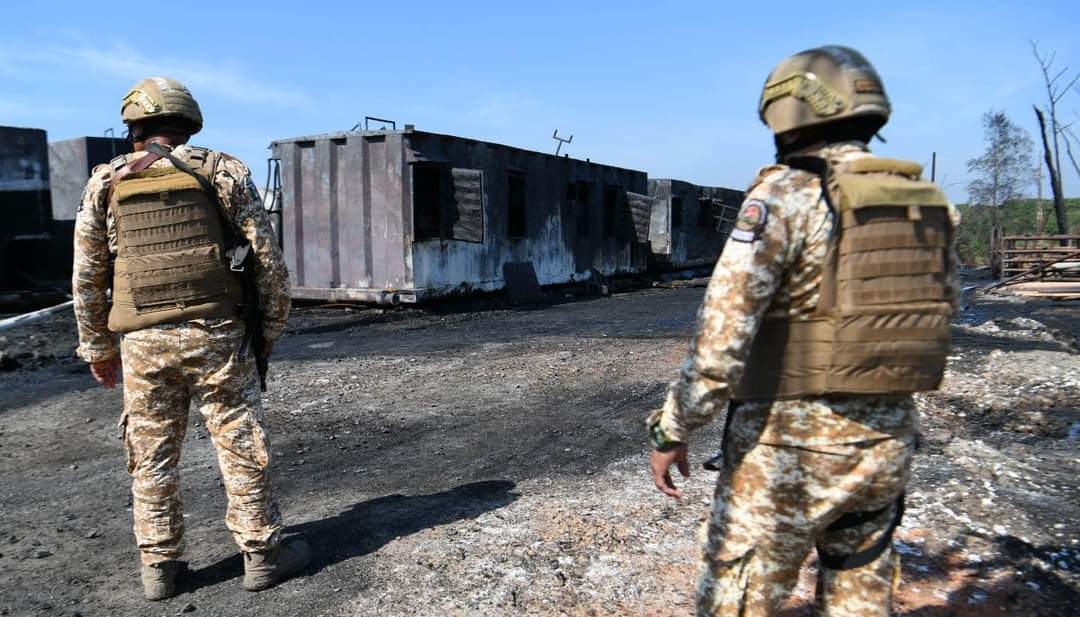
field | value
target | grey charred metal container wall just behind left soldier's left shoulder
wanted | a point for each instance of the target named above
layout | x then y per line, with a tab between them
71	163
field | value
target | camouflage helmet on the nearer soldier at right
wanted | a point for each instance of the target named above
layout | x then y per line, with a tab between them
822	86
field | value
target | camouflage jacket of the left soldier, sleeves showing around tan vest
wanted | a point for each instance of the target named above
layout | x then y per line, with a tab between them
96	248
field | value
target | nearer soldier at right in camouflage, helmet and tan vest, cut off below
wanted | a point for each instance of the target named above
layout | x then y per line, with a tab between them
829	307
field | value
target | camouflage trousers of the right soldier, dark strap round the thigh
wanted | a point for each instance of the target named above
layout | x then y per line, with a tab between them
775	505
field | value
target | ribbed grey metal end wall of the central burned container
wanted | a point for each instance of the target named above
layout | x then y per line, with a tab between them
344	214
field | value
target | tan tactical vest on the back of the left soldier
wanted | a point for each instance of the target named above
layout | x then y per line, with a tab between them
171	264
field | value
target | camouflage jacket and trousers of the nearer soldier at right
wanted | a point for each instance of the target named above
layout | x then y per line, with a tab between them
791	468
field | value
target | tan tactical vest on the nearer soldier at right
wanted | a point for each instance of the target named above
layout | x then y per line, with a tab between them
883	321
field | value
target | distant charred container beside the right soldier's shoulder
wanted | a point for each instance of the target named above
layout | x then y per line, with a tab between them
691	223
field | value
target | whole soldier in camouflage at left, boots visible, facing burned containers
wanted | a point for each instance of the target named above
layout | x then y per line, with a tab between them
152	234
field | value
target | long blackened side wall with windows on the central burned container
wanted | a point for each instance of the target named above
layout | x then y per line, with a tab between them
572	217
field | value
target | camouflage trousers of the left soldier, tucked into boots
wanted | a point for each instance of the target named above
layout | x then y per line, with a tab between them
166	369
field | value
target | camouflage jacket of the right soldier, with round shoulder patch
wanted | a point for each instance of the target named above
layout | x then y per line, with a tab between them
776	271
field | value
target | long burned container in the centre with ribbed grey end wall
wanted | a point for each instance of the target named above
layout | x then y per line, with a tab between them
406	216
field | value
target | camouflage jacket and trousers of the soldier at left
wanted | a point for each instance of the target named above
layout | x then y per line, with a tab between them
168	367
